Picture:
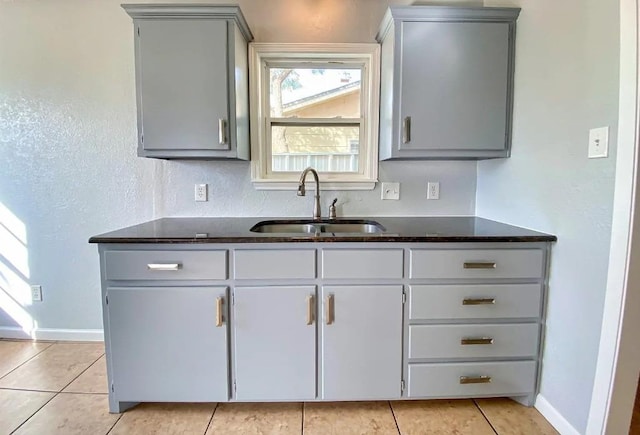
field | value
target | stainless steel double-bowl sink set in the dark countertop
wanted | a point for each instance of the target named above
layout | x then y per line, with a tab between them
319	227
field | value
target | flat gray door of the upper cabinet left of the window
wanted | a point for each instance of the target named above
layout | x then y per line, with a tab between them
181	67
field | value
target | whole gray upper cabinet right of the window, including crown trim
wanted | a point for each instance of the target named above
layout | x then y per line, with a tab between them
447	82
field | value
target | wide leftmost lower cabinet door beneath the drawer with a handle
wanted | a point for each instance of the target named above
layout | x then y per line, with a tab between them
166	344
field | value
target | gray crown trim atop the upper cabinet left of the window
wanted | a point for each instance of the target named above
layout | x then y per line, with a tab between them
178	11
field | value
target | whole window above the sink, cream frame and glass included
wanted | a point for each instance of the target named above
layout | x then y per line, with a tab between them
314	105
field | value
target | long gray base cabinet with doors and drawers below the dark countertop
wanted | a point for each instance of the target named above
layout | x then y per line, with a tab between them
209	322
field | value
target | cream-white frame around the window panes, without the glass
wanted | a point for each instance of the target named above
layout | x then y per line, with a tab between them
367	55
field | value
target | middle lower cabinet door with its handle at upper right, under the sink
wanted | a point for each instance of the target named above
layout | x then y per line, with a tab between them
274	343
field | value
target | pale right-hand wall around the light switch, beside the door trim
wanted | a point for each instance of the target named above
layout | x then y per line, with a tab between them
566	82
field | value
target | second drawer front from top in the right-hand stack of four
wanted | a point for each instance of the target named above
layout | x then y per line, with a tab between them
475	301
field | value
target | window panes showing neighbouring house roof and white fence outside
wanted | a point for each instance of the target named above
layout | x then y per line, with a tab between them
325	105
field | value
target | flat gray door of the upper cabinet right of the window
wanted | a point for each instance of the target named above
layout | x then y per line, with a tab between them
454	86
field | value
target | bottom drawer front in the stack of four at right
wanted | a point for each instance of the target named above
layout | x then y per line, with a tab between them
472	379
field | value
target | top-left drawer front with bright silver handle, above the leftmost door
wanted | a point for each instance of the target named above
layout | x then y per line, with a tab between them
165	265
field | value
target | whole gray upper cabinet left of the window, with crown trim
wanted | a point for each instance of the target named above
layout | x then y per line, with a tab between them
191	81
